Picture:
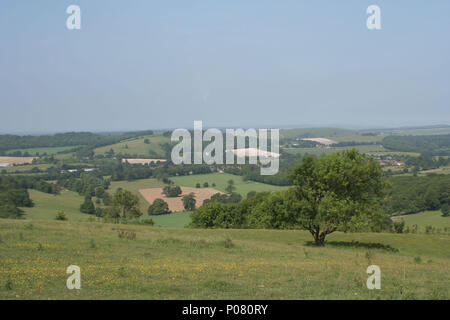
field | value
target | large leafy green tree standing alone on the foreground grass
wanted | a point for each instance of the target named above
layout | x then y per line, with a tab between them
340	191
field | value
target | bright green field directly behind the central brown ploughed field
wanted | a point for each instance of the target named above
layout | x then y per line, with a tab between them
221	181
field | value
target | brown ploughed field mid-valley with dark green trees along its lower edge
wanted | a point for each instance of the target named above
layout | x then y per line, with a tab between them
176	204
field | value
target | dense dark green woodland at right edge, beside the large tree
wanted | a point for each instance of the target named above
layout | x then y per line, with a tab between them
411	194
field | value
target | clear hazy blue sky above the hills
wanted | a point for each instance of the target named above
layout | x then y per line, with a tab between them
141	64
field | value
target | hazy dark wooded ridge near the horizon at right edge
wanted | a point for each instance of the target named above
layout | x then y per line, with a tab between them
429	144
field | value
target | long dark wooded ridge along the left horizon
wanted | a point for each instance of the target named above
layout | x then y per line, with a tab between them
8	142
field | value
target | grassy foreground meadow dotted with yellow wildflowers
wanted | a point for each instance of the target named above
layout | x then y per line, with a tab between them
163	263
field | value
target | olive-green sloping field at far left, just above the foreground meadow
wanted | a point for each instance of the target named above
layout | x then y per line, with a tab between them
47	205
